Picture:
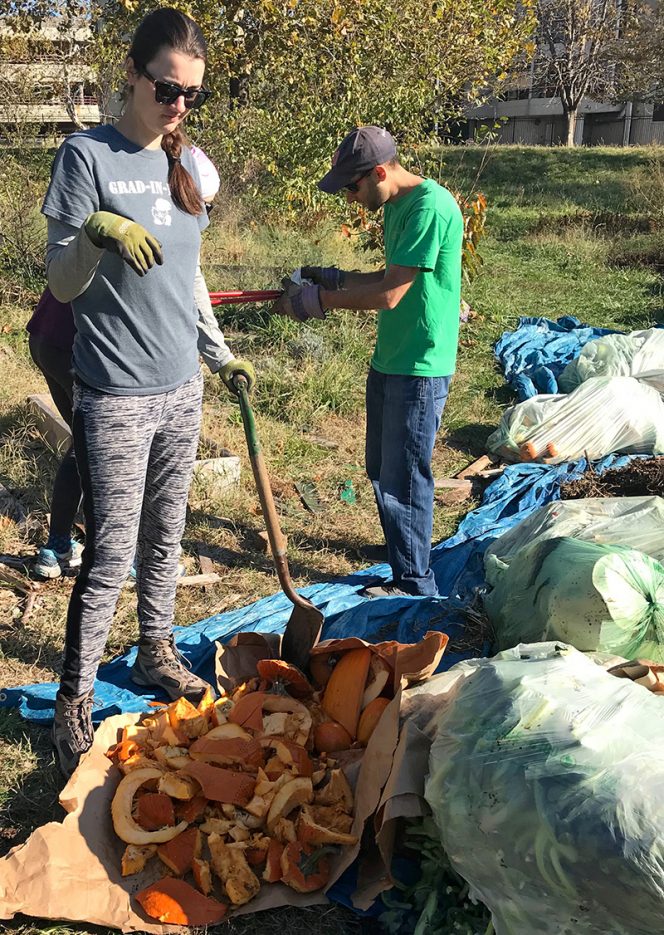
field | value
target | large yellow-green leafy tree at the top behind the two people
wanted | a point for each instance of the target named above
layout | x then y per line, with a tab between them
291	77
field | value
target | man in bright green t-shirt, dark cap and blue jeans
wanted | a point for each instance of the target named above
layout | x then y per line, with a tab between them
418	295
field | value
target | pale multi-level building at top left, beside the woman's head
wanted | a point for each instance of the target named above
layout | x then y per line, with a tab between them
45	82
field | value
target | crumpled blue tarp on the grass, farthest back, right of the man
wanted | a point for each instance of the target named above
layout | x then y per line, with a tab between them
535	354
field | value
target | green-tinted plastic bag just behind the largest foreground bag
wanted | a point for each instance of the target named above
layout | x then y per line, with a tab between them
594	597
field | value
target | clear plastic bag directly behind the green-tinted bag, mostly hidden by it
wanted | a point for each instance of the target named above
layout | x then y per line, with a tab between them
634	521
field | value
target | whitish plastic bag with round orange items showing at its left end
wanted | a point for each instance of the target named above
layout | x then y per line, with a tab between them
603	415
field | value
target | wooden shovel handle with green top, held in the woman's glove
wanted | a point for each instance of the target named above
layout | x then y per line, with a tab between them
261	477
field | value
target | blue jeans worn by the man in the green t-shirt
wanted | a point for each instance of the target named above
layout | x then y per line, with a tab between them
403	416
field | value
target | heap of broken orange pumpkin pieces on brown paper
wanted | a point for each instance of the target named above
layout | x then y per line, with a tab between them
240	792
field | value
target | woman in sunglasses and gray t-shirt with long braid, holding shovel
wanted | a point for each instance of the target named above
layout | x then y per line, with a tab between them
125	216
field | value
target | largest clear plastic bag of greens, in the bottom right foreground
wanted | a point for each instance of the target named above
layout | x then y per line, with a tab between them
545	782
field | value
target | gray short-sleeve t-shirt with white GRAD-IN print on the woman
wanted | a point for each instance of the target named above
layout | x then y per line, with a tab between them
135	335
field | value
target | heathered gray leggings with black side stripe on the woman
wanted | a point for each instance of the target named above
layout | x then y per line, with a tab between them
135	457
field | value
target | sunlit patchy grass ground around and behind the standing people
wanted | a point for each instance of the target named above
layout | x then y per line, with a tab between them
569	233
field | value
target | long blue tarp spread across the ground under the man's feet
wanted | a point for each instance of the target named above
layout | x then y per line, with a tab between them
457	564
